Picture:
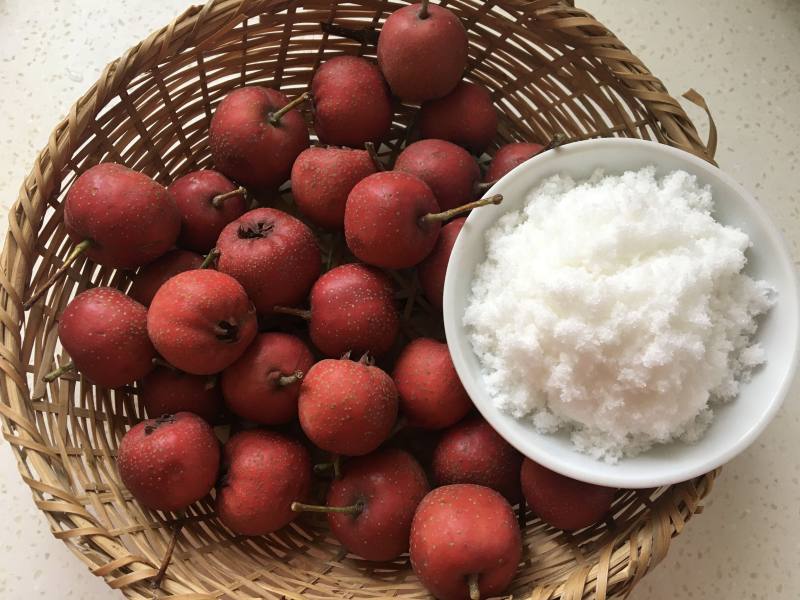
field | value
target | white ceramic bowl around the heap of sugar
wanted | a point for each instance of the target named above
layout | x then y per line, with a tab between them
737	423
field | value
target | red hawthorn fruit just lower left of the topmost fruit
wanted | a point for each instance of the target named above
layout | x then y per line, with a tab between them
351	102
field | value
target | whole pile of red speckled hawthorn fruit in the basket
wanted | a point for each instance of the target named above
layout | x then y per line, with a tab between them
204	338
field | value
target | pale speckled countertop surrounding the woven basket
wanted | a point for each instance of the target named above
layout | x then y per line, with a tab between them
741	54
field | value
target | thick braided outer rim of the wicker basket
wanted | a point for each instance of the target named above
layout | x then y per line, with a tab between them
199	27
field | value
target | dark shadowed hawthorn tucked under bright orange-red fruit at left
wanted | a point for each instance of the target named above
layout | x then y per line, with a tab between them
167	391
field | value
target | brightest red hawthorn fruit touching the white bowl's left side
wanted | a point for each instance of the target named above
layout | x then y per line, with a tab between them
431	394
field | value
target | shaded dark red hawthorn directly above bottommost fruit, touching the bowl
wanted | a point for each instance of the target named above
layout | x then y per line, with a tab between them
473	452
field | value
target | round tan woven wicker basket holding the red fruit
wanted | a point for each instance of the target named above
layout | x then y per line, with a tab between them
551	67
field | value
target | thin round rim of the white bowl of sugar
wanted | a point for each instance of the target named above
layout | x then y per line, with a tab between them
791	294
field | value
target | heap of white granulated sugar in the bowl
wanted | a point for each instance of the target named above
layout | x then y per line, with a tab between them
615	307
